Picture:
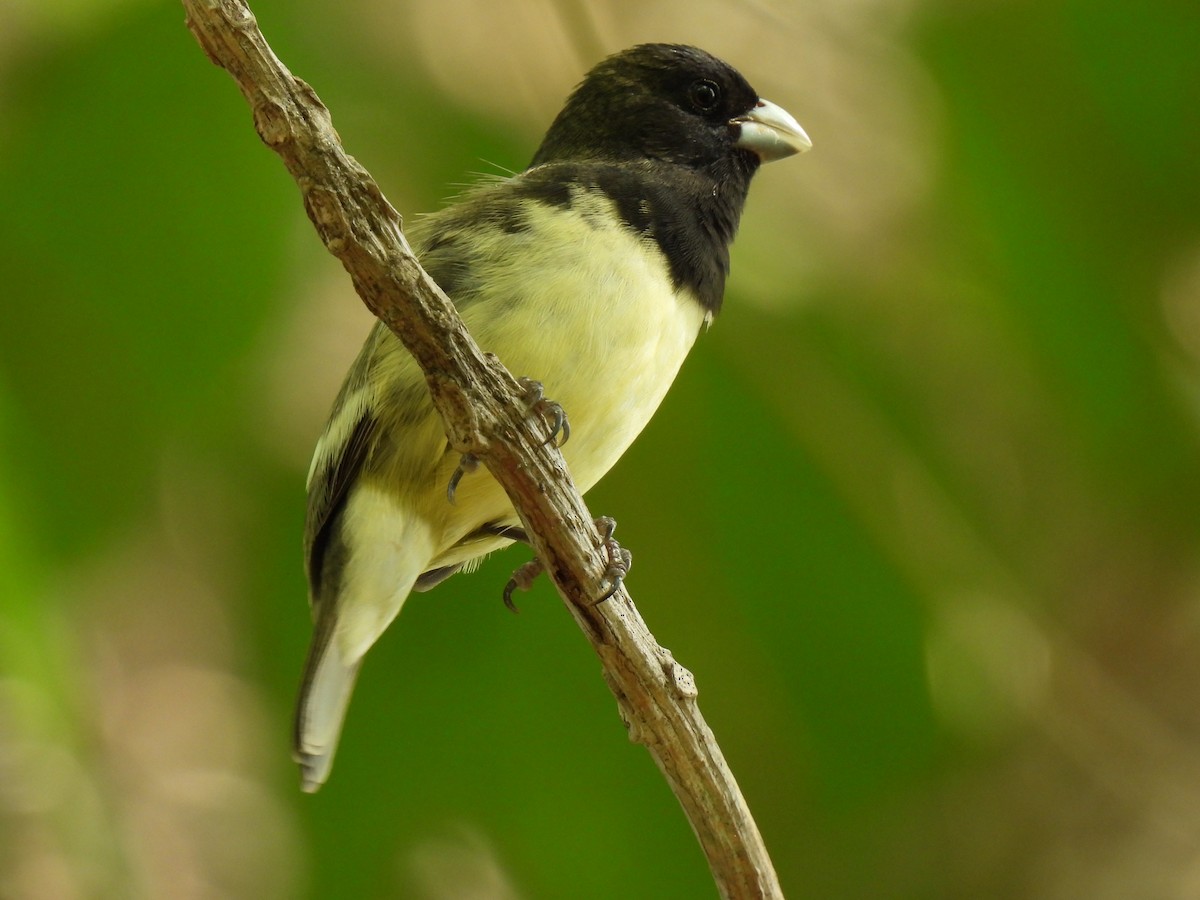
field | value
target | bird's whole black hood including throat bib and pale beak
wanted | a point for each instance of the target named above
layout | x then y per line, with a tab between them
673	136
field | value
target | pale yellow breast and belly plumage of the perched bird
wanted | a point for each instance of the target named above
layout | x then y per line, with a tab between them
605	332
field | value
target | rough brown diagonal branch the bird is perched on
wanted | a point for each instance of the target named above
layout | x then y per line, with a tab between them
484	415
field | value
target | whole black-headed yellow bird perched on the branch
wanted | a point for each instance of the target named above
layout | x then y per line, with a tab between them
595	272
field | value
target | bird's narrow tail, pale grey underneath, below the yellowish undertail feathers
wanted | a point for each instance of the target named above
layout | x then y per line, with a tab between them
325	697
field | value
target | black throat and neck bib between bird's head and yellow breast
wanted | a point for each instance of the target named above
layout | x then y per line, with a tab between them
691	214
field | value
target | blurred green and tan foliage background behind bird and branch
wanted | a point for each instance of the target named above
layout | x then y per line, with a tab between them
921	512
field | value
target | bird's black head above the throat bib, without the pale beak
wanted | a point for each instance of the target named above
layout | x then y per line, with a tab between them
656	101
